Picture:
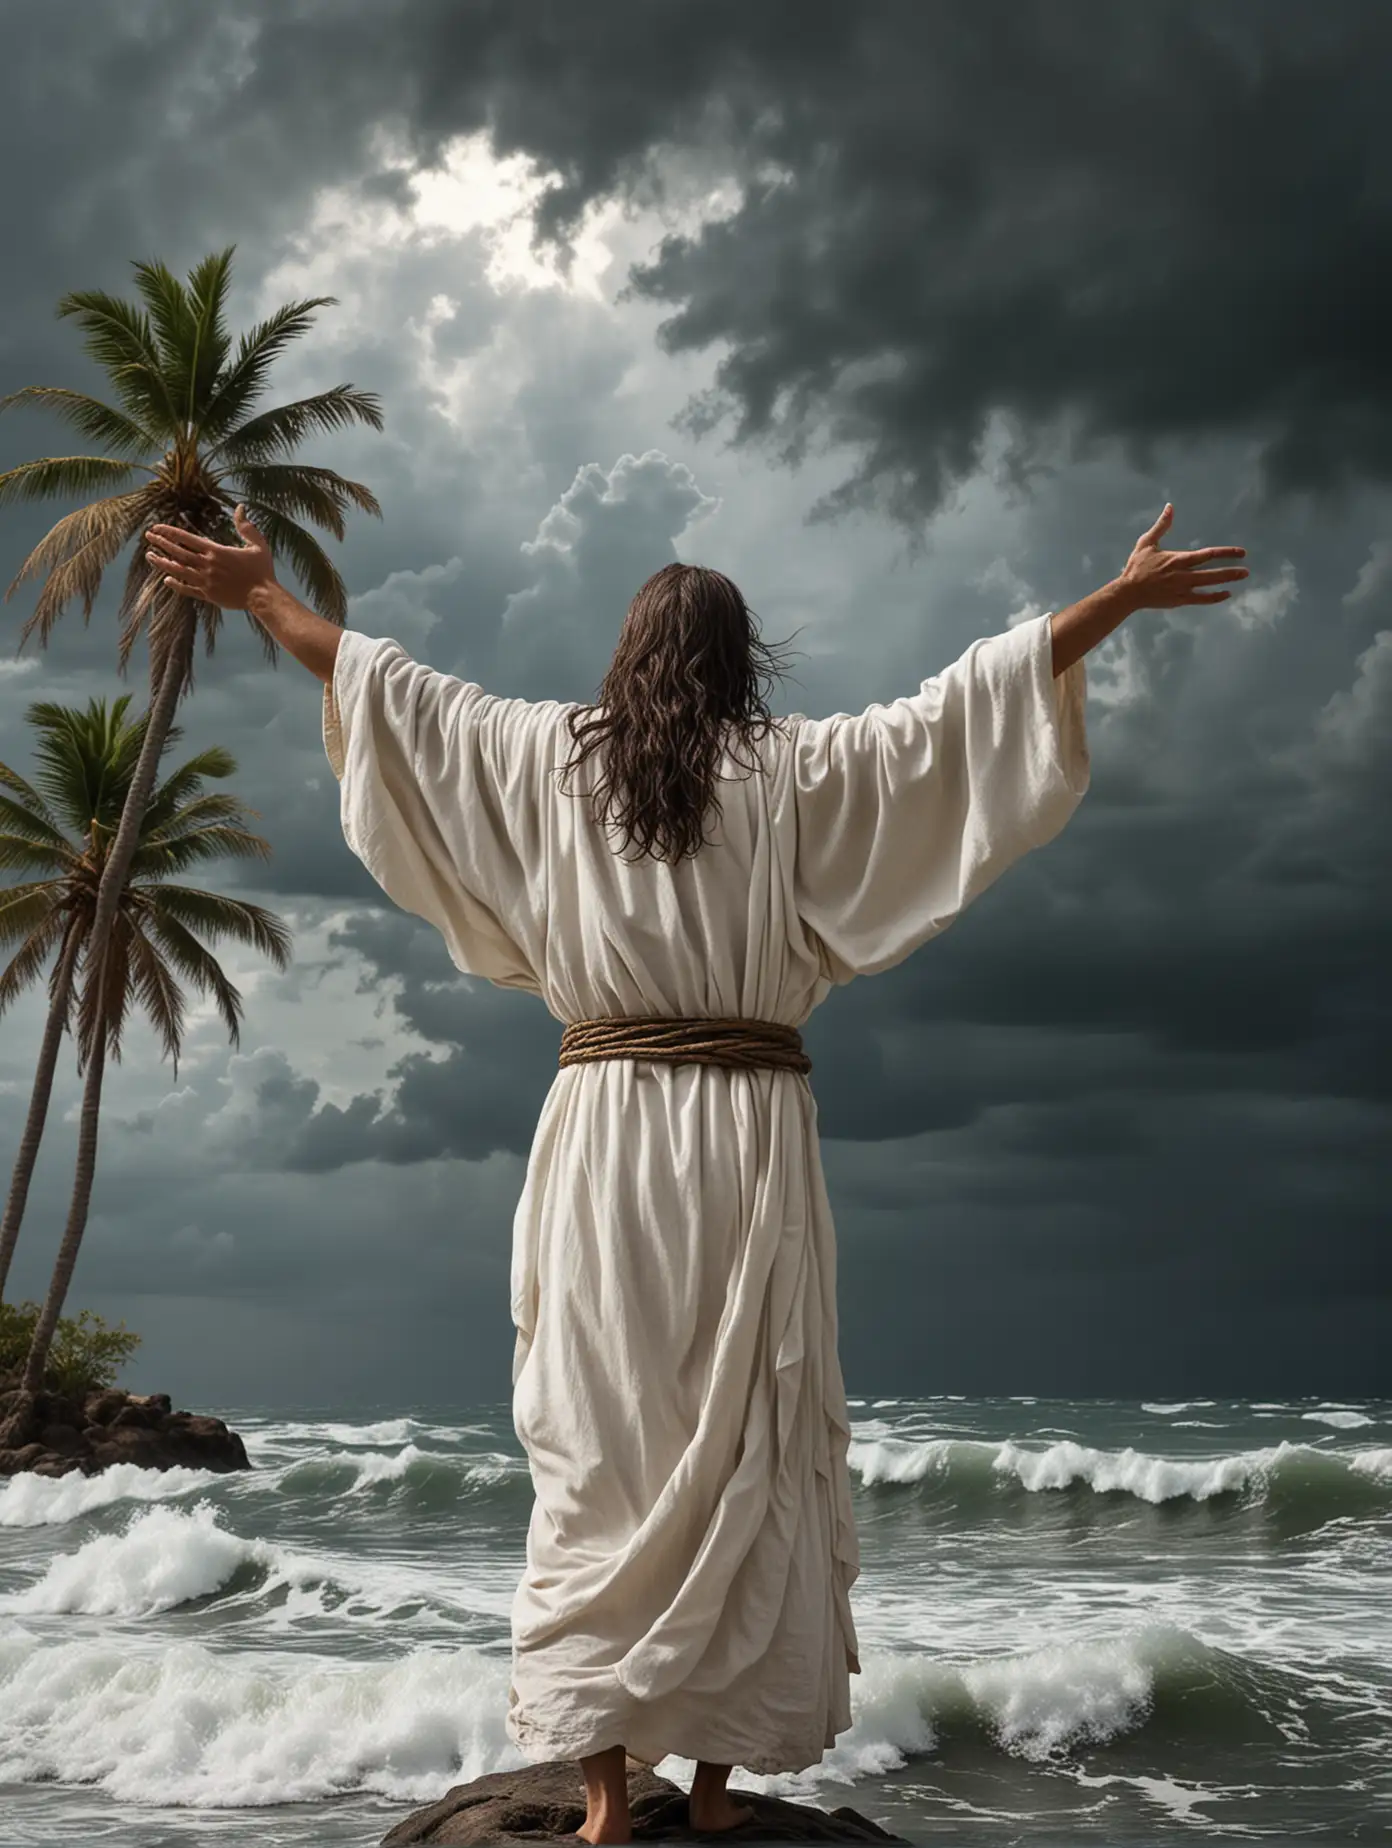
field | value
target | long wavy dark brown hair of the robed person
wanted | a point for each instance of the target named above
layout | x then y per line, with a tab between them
690	663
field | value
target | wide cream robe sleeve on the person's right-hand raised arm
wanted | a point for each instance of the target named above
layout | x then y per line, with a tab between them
909	810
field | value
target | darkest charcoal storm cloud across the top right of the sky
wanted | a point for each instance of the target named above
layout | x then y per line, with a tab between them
1134	225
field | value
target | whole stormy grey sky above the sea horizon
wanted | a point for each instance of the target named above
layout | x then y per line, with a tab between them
910	321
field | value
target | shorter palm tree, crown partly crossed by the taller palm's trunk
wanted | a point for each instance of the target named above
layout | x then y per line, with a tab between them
62	827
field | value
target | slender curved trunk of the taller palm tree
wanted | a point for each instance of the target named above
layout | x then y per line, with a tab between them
19	1422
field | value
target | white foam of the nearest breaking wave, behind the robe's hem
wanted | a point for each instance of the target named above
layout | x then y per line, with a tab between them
195	1727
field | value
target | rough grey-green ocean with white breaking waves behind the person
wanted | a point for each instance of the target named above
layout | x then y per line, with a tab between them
1082	1622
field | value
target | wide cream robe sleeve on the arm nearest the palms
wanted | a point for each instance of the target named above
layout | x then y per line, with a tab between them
439	803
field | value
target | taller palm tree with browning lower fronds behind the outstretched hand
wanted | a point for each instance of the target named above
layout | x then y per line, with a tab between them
184	422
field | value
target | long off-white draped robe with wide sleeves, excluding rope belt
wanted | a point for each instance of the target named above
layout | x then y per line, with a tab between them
676	1376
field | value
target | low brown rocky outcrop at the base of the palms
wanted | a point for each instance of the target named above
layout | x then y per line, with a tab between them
97	1429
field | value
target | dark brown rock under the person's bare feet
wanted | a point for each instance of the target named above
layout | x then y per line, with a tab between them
546	1803
